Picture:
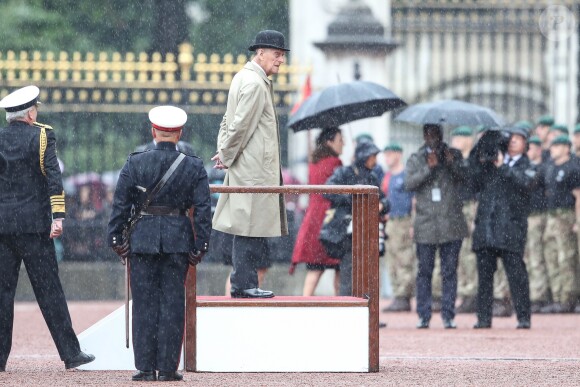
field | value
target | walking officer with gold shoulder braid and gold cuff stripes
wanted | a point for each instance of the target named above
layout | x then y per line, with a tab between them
32	211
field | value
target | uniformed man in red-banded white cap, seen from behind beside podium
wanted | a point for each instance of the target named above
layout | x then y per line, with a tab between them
163	243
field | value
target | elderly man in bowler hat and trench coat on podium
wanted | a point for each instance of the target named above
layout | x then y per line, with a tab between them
248	147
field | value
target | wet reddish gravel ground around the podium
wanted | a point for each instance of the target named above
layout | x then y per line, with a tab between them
547	355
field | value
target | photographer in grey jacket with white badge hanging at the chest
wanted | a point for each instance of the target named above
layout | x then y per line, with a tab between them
435	173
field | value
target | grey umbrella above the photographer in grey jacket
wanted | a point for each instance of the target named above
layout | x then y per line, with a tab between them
450	112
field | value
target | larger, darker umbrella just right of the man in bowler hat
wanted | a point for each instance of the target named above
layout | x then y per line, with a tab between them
339	104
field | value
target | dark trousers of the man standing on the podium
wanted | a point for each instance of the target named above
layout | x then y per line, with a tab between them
246	253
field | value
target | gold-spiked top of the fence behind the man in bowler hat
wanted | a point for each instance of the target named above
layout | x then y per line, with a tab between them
133	82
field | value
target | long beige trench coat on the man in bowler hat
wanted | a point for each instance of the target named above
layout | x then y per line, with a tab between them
249	145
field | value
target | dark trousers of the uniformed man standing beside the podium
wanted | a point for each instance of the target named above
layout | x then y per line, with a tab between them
158	290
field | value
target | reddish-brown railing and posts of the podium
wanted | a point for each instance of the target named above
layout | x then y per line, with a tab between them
365	258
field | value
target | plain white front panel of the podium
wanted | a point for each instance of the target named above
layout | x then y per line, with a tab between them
282	339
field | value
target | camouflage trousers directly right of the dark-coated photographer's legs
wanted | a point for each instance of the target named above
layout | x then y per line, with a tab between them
534	258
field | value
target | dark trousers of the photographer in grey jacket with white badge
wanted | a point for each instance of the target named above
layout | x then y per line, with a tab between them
449	253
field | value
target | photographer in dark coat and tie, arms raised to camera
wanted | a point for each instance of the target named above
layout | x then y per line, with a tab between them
503	183
